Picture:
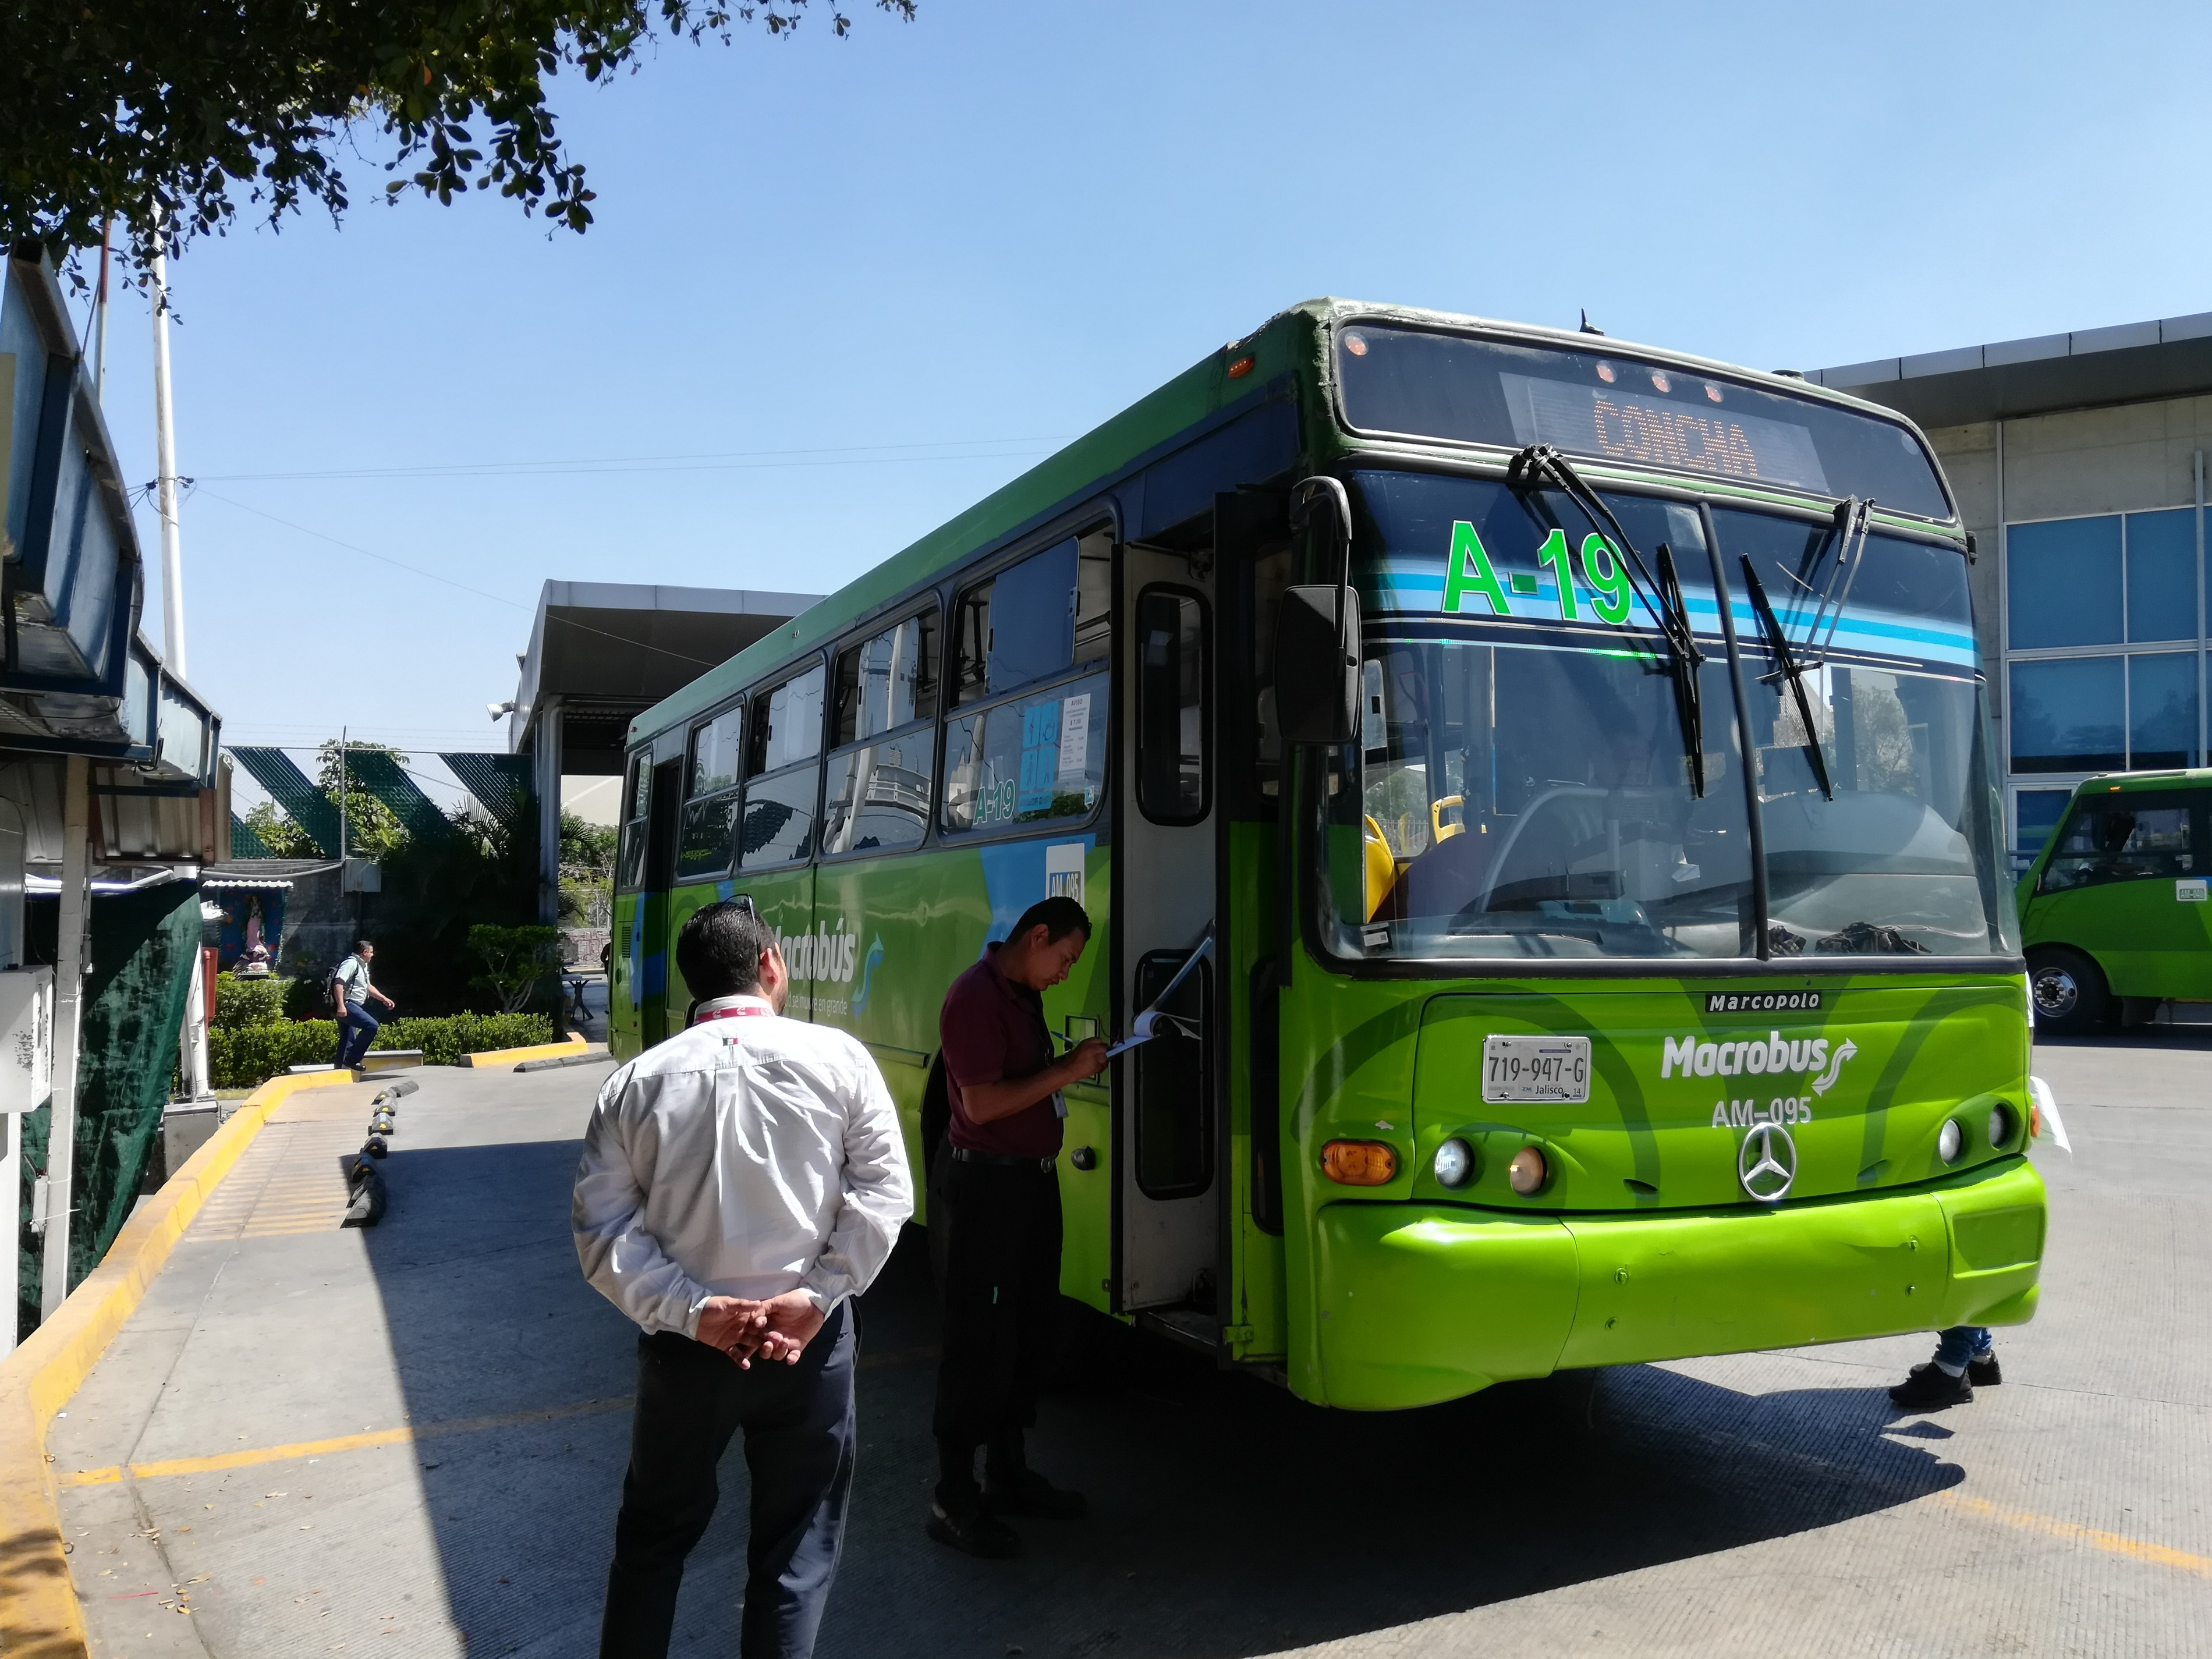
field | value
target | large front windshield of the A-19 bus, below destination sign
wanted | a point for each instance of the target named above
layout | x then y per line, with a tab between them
1521	782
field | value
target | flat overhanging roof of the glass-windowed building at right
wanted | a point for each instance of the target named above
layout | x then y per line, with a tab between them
2012	379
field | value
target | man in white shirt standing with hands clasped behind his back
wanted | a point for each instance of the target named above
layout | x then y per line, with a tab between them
740	1185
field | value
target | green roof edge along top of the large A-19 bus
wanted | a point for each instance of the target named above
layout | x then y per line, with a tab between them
1081	470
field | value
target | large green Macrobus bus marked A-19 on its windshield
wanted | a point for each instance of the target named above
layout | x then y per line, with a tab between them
1567	762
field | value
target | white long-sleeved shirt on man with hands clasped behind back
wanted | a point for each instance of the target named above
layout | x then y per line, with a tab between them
742	1158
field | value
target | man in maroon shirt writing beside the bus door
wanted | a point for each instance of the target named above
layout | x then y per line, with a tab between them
994	1227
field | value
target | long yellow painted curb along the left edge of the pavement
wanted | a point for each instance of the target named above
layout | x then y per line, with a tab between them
39	1607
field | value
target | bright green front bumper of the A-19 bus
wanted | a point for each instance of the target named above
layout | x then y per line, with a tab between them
1430	1302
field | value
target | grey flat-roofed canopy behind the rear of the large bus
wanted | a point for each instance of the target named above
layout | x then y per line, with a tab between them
605	651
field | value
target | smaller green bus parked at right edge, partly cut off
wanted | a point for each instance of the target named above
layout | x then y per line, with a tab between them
2116	910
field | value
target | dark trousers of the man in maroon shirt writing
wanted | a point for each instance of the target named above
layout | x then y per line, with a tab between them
994	1244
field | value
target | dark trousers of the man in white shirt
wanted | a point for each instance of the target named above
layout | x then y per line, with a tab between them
800	1443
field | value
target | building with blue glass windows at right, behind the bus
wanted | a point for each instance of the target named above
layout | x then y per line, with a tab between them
2080	468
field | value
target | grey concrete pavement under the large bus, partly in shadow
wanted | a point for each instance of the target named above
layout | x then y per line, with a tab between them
410	1441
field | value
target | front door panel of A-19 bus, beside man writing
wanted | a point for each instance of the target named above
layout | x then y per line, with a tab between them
1165	908
